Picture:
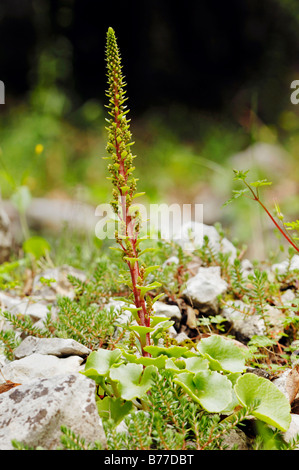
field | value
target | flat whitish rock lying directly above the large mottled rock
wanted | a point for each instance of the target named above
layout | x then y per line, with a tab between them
40	366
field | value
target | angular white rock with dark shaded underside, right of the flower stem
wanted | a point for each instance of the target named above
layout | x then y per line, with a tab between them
202	289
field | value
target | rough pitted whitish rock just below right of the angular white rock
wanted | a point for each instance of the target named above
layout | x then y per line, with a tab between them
243	320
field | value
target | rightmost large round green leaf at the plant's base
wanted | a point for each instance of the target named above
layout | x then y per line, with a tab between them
273	408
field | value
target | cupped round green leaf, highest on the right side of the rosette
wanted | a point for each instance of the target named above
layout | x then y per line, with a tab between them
222	354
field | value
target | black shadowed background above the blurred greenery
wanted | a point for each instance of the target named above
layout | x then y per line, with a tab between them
206	54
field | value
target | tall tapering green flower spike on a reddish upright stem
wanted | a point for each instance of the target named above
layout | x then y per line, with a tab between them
121	169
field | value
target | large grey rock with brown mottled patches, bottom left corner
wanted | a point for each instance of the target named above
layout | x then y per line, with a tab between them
33	413
